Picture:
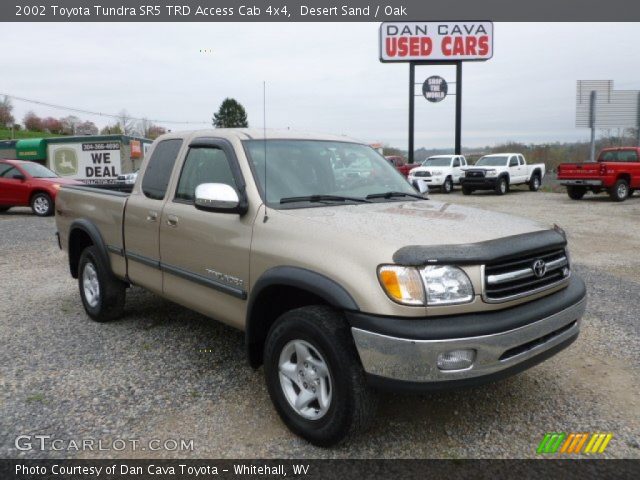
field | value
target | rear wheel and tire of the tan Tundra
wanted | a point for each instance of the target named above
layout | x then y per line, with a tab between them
103	296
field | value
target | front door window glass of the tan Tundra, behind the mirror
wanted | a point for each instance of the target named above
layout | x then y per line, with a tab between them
203	165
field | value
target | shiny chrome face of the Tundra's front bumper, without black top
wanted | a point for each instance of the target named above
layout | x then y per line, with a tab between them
415	360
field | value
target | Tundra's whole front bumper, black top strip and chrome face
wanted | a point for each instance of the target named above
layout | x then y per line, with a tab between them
526	334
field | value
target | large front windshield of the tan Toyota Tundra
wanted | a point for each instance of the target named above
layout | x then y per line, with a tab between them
301	168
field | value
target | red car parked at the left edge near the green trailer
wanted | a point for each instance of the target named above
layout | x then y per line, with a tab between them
24	184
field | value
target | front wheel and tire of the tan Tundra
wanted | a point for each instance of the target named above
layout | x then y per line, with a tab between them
324	336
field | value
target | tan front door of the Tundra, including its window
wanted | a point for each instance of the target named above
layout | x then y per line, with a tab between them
205	254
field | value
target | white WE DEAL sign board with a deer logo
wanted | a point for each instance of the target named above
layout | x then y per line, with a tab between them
90	162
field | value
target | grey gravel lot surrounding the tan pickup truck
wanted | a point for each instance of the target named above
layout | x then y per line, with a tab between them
164	372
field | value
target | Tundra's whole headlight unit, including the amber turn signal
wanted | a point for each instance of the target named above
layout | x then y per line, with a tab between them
432	285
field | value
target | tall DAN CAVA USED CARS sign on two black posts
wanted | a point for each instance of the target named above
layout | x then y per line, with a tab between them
435	43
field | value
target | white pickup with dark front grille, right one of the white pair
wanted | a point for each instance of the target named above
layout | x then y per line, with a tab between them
499	171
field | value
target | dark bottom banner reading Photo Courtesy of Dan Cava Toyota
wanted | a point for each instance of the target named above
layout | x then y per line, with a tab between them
361	469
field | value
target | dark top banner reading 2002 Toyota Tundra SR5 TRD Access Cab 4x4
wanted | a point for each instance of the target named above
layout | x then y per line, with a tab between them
316	11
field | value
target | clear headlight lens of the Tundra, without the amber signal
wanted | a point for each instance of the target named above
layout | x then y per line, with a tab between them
445	285
